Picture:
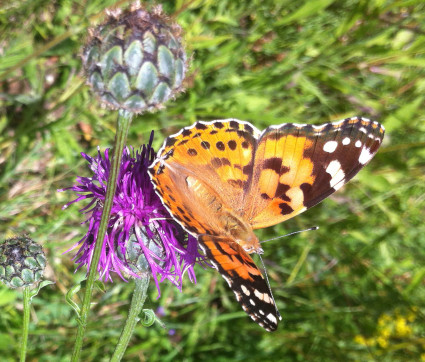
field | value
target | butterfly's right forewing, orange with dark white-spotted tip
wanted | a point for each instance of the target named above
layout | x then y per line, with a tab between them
307	165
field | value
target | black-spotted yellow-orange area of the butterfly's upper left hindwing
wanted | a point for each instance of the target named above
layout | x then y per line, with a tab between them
210	151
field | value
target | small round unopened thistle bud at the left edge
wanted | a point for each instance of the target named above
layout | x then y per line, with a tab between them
22	262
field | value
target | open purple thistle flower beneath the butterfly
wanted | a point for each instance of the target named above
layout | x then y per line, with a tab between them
141	235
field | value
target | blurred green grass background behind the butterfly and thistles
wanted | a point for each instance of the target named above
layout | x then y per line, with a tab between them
353	290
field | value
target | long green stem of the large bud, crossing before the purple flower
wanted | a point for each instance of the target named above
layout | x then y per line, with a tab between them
123	124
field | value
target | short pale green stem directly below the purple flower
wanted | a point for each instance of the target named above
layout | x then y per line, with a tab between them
136	306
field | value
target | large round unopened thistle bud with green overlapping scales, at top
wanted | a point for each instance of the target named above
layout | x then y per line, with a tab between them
135	60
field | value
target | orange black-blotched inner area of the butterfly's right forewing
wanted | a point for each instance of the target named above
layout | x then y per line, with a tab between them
281	169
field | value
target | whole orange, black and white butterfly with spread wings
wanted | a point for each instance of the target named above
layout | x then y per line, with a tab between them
223	179
